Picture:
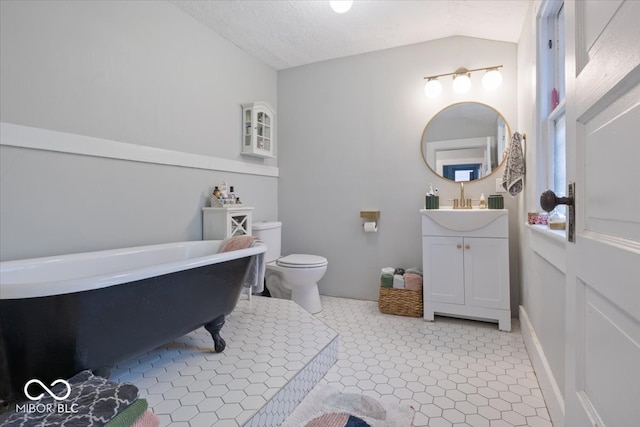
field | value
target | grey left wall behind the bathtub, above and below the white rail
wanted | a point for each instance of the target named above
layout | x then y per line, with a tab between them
138	72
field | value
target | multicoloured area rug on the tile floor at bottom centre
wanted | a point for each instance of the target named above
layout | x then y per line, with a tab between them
325	406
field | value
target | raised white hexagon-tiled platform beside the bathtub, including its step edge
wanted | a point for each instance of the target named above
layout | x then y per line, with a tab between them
276	352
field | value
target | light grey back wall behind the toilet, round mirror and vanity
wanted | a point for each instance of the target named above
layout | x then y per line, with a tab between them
349	140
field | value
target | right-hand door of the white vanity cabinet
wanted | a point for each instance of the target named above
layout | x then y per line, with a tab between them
486	272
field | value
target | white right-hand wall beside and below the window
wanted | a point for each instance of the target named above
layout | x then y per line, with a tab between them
541	256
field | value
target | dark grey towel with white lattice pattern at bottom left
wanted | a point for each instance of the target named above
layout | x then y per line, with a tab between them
96	400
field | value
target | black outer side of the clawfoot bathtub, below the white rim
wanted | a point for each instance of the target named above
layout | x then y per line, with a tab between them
58	336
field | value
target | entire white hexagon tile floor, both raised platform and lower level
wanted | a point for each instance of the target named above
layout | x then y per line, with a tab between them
453	372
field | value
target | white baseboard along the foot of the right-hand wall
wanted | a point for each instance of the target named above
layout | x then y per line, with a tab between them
548	385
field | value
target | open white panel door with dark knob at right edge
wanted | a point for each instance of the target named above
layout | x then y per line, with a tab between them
602	361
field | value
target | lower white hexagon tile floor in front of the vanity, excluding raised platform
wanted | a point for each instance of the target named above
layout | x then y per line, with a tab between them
453	372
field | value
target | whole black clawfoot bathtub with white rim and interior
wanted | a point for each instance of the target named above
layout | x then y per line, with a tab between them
64	314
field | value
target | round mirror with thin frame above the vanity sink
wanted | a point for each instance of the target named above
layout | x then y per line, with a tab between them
465	141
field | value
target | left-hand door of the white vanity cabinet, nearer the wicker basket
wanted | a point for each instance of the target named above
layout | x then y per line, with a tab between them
442	269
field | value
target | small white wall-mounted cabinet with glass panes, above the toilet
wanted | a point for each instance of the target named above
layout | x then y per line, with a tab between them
258	130
